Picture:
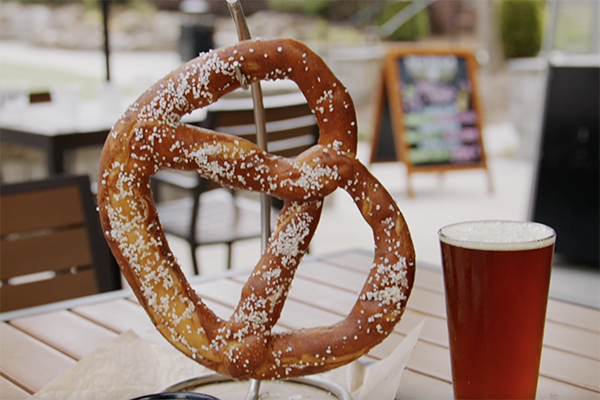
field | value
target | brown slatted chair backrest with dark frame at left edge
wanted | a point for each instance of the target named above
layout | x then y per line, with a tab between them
51	243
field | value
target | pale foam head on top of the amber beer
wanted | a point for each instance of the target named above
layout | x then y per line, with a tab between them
498	235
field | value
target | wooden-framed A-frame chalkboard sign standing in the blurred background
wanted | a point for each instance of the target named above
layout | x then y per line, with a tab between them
428	113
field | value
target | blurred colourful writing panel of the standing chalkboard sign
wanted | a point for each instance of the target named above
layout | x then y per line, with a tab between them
441	125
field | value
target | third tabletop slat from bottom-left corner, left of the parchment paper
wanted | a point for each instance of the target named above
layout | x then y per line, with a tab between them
65	331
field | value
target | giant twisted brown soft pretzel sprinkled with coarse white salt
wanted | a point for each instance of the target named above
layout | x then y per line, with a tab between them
150	137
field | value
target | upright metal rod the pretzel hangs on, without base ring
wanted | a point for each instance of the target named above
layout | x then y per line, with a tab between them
261	138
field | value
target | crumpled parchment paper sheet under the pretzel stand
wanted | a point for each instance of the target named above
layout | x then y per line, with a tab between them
129	367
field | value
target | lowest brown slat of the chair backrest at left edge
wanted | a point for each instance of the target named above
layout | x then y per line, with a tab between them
59	288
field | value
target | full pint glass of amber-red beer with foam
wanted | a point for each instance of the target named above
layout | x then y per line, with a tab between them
497	277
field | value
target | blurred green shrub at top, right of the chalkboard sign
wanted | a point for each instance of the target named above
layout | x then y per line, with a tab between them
521	27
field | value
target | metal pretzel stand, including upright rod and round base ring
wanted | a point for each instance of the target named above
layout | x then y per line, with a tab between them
243	32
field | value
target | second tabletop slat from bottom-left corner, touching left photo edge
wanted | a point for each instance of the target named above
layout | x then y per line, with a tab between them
17	347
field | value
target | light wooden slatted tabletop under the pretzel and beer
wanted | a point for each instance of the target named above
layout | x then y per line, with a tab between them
38	345
